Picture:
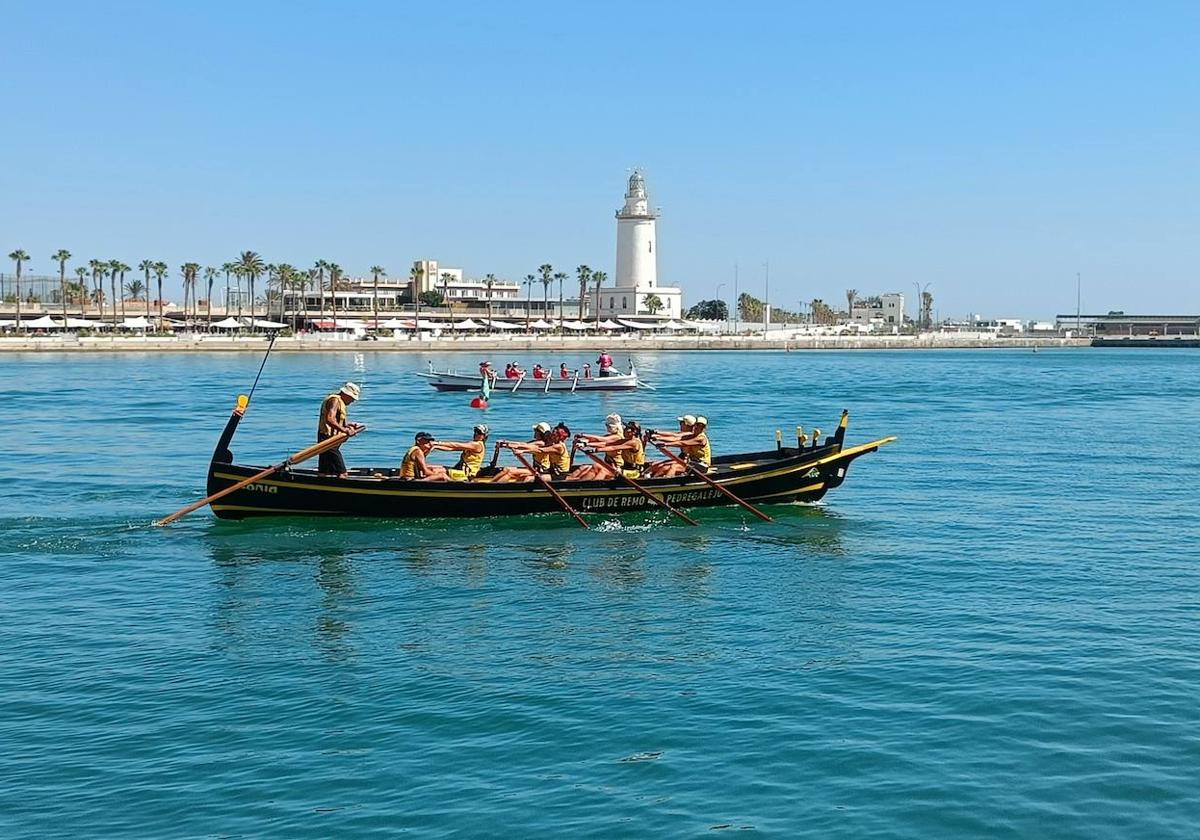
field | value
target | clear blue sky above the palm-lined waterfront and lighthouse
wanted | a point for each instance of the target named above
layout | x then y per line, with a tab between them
992	151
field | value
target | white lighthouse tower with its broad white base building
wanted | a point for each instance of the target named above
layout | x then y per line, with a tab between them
638	259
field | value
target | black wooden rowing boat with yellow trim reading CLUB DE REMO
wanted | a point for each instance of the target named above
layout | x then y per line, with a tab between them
785	475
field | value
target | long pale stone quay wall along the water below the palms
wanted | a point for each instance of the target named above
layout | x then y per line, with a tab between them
524	344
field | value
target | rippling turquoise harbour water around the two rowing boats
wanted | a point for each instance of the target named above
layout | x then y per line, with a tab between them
989	631
